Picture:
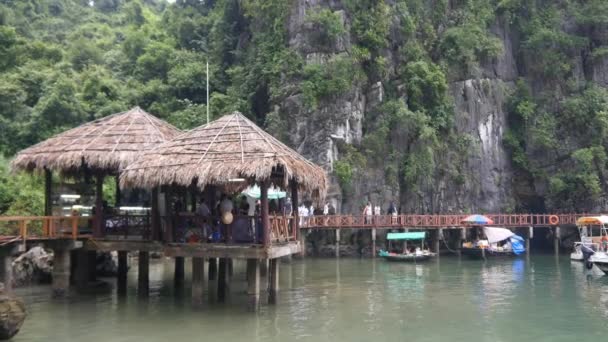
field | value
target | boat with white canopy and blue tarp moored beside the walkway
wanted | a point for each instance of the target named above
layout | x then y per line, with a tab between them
513	244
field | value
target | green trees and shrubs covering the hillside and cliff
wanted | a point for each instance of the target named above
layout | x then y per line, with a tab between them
64	62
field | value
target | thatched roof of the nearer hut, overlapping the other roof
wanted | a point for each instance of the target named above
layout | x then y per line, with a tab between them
229	148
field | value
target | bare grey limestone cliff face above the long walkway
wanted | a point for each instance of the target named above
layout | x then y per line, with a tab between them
486	180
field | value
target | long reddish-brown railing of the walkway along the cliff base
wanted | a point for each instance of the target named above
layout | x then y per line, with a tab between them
434	221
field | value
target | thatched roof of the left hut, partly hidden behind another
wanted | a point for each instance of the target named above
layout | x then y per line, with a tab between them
105	145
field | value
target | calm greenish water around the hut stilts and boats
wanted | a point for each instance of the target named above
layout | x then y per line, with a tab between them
541	299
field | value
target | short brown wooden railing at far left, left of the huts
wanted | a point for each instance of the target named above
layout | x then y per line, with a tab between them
44	227
